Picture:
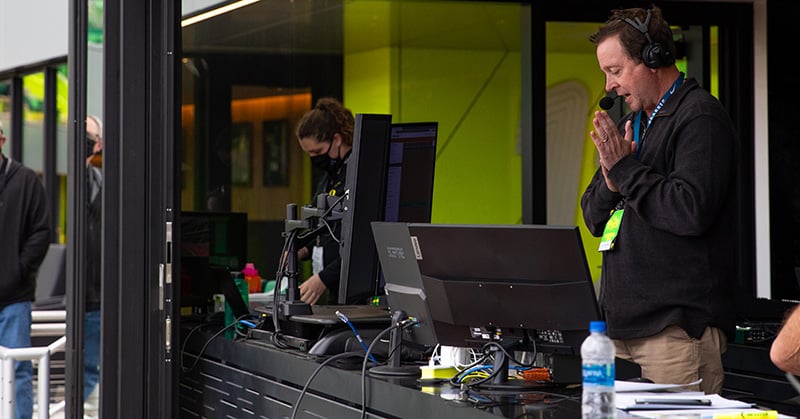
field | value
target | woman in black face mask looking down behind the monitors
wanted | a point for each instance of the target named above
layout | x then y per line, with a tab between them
326	134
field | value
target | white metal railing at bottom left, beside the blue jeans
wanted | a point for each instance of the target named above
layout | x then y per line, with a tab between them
38	355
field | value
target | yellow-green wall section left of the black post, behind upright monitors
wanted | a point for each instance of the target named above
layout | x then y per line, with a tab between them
475	97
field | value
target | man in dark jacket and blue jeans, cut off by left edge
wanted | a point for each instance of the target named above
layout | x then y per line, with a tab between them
24	240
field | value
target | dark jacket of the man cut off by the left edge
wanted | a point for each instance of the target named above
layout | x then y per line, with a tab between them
24	231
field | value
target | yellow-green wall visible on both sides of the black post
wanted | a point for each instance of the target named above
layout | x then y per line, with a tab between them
475	95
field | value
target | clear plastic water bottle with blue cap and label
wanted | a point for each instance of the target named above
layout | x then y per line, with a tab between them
597	362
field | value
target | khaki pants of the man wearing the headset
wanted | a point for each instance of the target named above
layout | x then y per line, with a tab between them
672	357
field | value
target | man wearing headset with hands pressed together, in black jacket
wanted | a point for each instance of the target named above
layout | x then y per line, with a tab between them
663	201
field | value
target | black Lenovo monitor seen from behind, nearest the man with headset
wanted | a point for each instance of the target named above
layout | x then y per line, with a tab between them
521	283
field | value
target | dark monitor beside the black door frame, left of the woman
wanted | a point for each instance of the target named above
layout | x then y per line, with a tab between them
208	241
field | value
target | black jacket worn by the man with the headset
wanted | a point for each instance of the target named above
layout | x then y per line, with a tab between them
674	258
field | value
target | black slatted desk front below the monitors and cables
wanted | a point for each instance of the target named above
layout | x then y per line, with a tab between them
254	379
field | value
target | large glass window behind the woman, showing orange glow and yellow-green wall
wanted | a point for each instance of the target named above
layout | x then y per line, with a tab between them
248	75
